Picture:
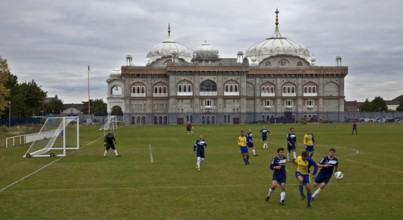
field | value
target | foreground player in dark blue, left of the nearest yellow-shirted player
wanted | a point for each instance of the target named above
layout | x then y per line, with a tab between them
279	175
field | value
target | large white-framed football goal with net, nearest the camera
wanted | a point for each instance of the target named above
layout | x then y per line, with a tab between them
57	135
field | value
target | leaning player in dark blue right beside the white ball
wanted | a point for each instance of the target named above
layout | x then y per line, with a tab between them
328	165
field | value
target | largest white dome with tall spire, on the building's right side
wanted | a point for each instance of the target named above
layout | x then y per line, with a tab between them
276	45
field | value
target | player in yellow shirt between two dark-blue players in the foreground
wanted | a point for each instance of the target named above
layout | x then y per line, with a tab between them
303	163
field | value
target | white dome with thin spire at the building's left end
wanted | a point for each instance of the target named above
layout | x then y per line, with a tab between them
167	48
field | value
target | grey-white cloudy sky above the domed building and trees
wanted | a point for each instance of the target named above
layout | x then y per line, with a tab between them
53	41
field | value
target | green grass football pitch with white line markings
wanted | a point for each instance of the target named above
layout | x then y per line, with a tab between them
156	177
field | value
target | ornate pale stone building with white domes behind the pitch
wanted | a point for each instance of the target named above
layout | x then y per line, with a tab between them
276	80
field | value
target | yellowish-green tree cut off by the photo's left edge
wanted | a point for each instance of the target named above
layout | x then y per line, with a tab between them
4	90
